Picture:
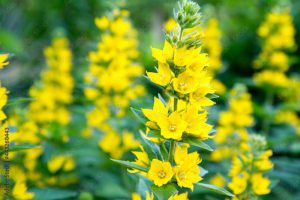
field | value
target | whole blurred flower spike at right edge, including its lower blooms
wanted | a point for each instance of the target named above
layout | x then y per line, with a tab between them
277	33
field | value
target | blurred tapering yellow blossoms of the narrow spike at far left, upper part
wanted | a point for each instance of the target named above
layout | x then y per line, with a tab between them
54	92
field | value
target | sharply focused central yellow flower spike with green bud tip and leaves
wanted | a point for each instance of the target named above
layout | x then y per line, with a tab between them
174	125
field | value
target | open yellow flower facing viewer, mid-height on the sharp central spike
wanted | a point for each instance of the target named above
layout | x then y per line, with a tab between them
172	127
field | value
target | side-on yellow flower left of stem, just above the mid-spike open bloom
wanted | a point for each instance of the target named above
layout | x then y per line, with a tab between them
159	109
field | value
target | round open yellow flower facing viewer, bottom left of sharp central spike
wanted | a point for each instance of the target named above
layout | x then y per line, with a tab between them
160	172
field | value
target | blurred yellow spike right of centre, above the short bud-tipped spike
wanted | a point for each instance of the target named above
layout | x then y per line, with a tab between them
232	129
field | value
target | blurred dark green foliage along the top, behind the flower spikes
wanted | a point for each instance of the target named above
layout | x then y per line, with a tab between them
27	27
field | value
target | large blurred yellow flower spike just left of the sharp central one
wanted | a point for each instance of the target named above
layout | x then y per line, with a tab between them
112	71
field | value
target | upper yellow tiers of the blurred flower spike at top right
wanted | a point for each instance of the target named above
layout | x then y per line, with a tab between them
277	33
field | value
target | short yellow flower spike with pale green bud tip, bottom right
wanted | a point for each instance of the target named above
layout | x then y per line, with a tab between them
247	179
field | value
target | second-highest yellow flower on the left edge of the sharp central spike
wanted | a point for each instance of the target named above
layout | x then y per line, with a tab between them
163	76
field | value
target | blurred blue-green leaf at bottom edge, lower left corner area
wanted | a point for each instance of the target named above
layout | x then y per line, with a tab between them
53	193
